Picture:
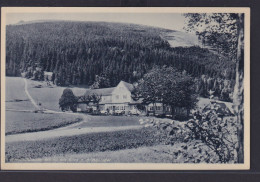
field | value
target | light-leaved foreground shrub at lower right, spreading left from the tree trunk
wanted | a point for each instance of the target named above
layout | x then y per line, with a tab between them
206	137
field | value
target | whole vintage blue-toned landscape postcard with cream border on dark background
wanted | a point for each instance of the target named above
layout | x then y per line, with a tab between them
125	88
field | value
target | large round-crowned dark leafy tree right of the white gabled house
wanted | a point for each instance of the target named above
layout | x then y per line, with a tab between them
167	86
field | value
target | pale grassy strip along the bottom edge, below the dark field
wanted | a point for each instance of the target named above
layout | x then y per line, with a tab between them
149	154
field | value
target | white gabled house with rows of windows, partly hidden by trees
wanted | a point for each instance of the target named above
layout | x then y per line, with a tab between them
119	100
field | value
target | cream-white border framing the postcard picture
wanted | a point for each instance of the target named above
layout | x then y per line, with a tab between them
129	166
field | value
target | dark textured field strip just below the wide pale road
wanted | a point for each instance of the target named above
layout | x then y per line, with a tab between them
80	144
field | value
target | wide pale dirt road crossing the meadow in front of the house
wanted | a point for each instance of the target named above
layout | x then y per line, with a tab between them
62	132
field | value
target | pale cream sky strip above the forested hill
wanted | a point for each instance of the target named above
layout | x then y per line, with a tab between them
174	21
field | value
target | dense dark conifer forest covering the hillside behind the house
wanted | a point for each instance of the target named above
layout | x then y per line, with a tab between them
78	51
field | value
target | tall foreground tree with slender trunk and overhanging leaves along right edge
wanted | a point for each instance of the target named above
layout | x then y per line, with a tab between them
225	31
